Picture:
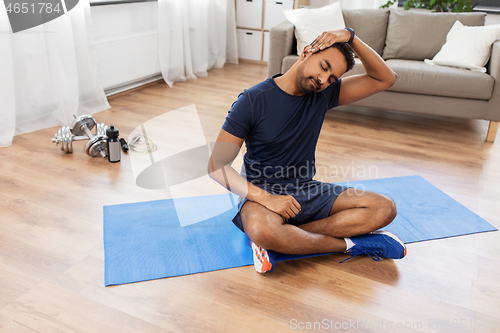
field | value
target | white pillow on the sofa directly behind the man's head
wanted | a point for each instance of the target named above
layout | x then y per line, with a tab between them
310	23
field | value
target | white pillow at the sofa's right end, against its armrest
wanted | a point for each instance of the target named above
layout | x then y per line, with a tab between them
467	47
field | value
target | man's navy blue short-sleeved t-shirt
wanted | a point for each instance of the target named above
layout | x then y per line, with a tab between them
280	131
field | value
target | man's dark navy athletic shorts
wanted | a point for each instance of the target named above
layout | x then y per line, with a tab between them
315	198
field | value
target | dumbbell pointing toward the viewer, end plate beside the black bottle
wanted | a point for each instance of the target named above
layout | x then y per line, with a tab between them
97	144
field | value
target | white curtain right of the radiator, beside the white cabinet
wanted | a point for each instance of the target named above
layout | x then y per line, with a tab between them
195	36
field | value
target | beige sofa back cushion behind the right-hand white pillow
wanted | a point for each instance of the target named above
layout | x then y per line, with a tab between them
417	34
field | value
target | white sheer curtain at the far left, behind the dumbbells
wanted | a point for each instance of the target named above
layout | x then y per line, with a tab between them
47	73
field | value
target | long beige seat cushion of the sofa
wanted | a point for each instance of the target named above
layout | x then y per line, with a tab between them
417	77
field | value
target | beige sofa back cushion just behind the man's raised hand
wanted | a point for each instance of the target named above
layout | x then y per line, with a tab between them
370	26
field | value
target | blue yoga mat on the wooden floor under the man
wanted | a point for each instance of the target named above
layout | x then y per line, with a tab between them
145	240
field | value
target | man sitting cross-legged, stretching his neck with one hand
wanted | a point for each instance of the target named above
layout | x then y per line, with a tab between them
281	208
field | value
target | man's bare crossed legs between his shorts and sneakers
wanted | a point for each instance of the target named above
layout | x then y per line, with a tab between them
352	214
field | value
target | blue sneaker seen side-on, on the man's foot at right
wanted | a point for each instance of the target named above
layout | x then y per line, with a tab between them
377	244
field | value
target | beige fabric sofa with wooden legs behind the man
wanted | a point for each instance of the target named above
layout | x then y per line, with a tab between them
404	39
